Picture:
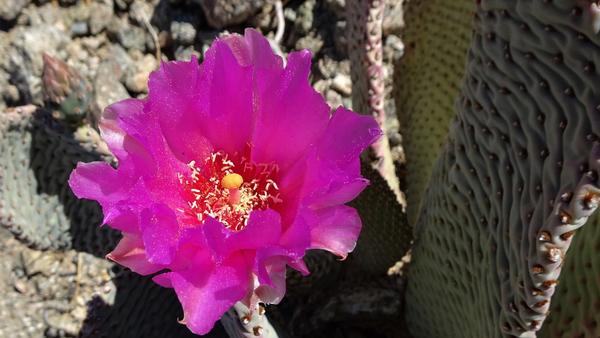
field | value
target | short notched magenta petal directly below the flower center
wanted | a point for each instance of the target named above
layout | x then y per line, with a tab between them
263	229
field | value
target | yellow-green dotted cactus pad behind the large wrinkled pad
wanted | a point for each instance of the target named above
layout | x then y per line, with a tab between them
428	79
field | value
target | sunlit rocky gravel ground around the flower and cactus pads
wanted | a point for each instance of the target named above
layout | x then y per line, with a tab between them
114	45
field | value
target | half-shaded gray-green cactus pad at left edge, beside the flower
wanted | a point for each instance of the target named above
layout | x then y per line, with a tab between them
36	203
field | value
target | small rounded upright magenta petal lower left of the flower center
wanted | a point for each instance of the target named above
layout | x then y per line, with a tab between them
160	233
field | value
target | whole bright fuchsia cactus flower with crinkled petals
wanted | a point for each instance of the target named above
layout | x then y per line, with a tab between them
227	172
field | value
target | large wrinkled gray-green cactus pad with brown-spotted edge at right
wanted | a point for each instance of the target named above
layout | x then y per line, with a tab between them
517	176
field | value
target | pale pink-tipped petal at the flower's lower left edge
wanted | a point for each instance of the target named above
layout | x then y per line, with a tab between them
130	252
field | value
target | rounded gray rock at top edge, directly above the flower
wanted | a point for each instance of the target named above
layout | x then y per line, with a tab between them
223	13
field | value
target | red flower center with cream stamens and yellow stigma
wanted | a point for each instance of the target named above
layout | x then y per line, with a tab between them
228	191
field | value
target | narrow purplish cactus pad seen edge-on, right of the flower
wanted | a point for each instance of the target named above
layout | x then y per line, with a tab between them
365	33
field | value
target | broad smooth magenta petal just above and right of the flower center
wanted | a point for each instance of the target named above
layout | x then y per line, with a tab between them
291	115
